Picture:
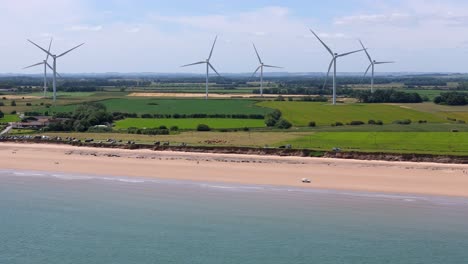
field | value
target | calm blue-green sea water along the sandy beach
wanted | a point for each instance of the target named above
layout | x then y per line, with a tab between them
48	218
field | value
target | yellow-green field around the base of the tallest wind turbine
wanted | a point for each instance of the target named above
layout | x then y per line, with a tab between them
301	113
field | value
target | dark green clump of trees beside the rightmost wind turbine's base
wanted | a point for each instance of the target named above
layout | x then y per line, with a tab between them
387	96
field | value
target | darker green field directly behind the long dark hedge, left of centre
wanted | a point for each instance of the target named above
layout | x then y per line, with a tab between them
175	106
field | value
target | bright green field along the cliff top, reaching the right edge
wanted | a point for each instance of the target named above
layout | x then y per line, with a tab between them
395	142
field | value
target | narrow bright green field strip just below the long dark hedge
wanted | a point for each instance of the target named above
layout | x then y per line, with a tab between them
216	123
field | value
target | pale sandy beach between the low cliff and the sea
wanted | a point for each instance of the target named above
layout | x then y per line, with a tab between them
353	175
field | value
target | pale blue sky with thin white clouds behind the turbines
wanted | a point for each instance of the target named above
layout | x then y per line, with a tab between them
160	35
